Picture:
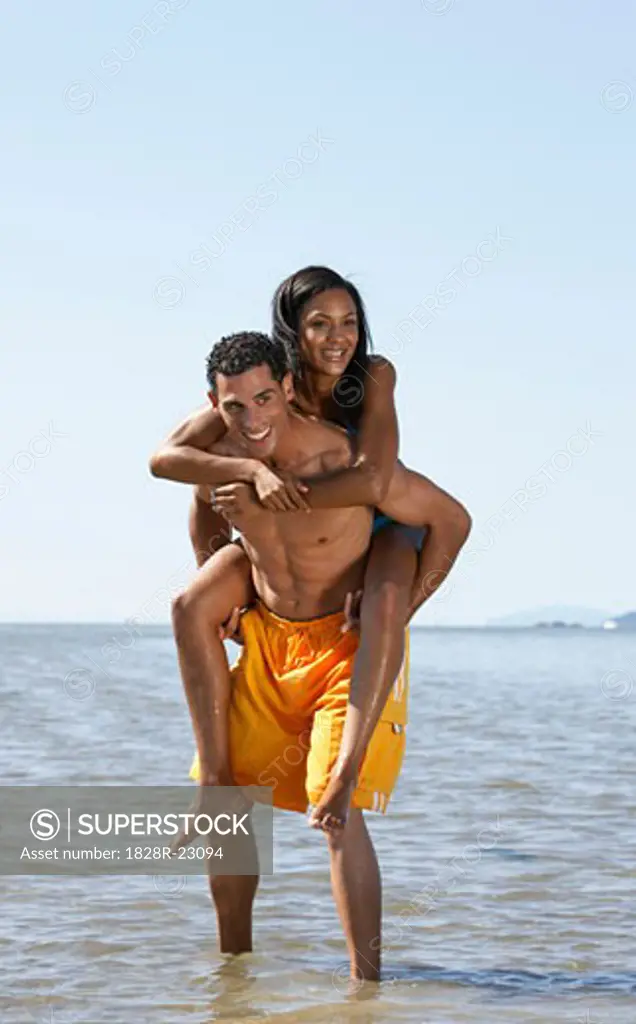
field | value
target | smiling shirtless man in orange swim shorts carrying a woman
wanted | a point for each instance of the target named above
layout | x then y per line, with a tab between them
279	719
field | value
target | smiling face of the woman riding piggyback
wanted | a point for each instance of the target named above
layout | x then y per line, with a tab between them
328	332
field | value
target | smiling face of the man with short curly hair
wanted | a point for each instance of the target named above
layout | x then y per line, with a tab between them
255	408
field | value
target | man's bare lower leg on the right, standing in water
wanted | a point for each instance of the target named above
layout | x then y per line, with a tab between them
358	892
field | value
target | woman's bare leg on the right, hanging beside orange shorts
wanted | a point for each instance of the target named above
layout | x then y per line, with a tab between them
389	582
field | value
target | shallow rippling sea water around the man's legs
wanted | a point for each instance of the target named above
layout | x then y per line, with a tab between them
508	854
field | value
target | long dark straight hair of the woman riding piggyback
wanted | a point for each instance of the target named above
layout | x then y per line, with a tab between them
289	300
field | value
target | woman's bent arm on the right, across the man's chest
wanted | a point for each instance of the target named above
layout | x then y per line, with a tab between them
367	482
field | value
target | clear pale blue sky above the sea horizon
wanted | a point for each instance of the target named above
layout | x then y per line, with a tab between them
132	138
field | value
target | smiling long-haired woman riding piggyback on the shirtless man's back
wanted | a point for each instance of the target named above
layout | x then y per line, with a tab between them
320	318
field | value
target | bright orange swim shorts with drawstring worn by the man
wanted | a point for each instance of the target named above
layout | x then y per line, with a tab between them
289	700
